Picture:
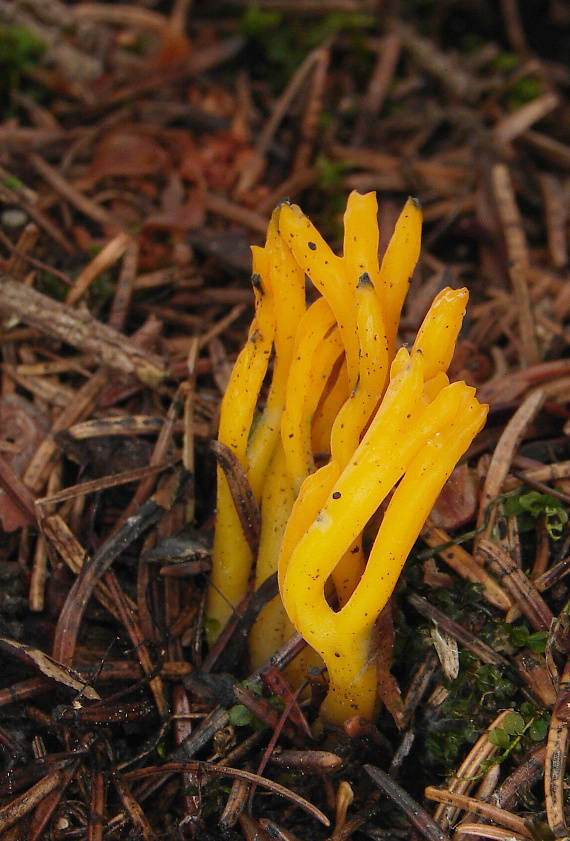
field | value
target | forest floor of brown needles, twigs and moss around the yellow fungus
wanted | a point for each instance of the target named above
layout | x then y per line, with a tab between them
143	147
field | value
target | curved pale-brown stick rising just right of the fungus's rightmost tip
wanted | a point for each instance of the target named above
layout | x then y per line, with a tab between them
502	458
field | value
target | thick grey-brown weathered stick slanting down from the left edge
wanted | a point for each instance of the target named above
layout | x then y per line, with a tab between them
79	329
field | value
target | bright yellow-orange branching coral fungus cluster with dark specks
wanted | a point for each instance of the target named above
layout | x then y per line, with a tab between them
348	423
